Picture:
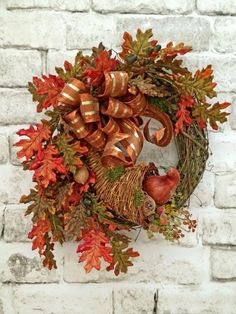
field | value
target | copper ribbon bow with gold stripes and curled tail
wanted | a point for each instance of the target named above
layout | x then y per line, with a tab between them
111	121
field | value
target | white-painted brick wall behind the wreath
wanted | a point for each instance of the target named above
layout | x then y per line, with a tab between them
197	276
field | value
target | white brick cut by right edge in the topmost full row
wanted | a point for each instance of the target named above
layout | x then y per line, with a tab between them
224	34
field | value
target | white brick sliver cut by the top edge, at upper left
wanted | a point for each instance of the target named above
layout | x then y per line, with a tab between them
72	5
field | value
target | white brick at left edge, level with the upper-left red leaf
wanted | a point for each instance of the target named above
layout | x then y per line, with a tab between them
17	107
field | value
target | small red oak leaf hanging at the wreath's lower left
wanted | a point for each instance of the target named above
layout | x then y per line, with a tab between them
38	234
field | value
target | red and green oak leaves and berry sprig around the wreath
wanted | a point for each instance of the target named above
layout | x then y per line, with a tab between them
63	209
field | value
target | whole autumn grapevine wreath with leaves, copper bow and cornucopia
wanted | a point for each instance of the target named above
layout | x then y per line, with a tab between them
89	186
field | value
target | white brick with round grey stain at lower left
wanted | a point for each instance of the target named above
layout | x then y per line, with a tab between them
22	265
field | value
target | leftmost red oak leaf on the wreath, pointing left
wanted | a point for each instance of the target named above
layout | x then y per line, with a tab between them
36	136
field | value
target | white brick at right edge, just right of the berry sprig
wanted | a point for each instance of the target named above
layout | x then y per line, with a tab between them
219	228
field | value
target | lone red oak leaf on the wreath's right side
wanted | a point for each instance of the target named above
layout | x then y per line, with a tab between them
183	114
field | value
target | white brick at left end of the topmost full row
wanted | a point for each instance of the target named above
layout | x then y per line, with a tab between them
31	30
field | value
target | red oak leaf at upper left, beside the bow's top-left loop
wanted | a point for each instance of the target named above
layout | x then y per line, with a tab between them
50	87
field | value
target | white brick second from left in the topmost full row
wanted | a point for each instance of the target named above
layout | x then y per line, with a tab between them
85	31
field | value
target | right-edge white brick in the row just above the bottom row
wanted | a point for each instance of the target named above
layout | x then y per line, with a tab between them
223	264
